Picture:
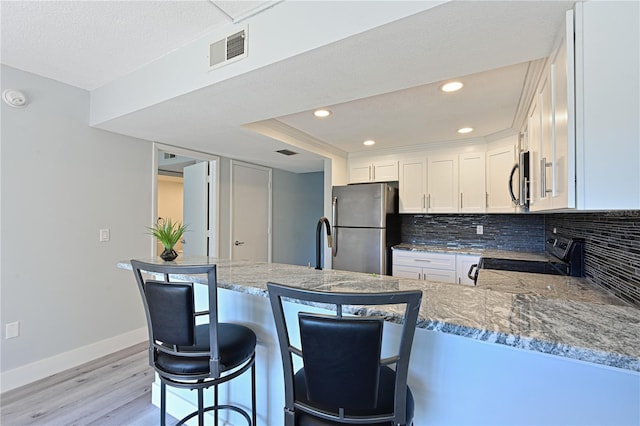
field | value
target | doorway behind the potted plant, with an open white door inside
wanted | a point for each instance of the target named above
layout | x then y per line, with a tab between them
186	190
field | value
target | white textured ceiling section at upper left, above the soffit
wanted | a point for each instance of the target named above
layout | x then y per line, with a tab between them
90	43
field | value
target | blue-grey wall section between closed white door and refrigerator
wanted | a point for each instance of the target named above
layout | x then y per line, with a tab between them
297	207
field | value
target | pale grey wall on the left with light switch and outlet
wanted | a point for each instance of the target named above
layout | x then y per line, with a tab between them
61	182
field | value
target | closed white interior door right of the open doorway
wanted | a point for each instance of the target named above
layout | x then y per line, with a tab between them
250	212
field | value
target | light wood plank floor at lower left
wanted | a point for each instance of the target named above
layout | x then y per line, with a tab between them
112	391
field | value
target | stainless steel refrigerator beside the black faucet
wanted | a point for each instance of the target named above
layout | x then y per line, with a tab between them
365	226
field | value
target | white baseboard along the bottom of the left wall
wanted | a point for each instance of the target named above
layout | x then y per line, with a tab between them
46	367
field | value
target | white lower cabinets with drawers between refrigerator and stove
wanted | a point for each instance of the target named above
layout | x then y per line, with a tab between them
440	267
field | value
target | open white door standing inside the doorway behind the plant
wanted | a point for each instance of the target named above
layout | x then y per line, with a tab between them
196	209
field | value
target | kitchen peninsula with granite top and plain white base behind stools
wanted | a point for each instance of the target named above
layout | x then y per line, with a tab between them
544	360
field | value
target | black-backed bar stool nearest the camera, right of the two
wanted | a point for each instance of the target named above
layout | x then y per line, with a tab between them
343	379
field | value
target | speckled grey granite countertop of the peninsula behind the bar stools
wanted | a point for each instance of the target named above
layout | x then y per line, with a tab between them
593	330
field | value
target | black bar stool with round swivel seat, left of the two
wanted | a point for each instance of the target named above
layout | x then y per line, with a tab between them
193	354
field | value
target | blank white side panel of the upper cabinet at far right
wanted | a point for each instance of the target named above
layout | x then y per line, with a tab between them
607	57
